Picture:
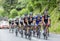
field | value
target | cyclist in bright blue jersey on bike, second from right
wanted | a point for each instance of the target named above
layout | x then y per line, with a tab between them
38	22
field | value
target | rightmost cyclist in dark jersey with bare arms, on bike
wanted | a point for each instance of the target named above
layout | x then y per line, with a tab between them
46	23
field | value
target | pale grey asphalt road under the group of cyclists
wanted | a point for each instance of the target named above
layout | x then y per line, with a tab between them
6	36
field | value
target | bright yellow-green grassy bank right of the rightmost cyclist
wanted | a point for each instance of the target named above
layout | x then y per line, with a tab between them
55	26
